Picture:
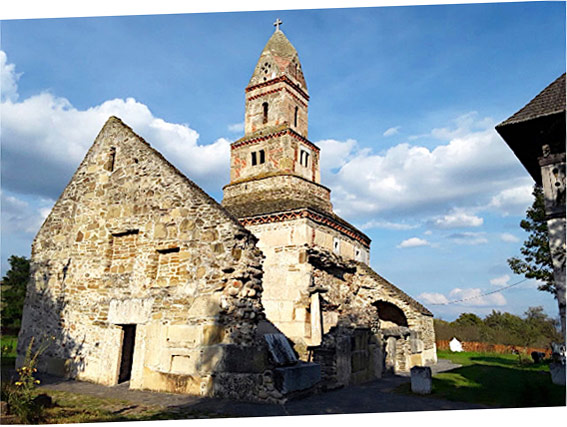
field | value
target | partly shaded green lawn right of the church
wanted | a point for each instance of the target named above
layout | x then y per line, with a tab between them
498	380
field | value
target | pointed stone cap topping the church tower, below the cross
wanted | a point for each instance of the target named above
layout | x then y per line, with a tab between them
278	58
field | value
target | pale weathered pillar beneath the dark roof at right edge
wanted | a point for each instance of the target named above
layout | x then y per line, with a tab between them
553	181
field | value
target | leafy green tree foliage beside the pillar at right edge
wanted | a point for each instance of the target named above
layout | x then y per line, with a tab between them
536	262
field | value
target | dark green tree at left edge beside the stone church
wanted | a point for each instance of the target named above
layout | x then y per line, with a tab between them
14	291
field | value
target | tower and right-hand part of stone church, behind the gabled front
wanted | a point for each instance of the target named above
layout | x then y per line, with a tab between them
318	288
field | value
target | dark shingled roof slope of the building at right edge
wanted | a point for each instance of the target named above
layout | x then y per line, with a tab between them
551	100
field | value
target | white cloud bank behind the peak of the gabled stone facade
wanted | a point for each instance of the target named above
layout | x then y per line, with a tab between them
55	136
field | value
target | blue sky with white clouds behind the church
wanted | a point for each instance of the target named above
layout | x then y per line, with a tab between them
404	101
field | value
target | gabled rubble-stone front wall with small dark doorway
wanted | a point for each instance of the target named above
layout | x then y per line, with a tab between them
133	242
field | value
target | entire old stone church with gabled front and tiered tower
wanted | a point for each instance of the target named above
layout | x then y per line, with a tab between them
138	275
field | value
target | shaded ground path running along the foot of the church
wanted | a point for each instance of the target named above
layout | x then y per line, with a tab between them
376	396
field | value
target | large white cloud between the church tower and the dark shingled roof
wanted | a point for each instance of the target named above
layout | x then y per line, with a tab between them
471	168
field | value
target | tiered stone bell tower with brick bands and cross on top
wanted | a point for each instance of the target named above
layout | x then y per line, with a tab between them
274	159
